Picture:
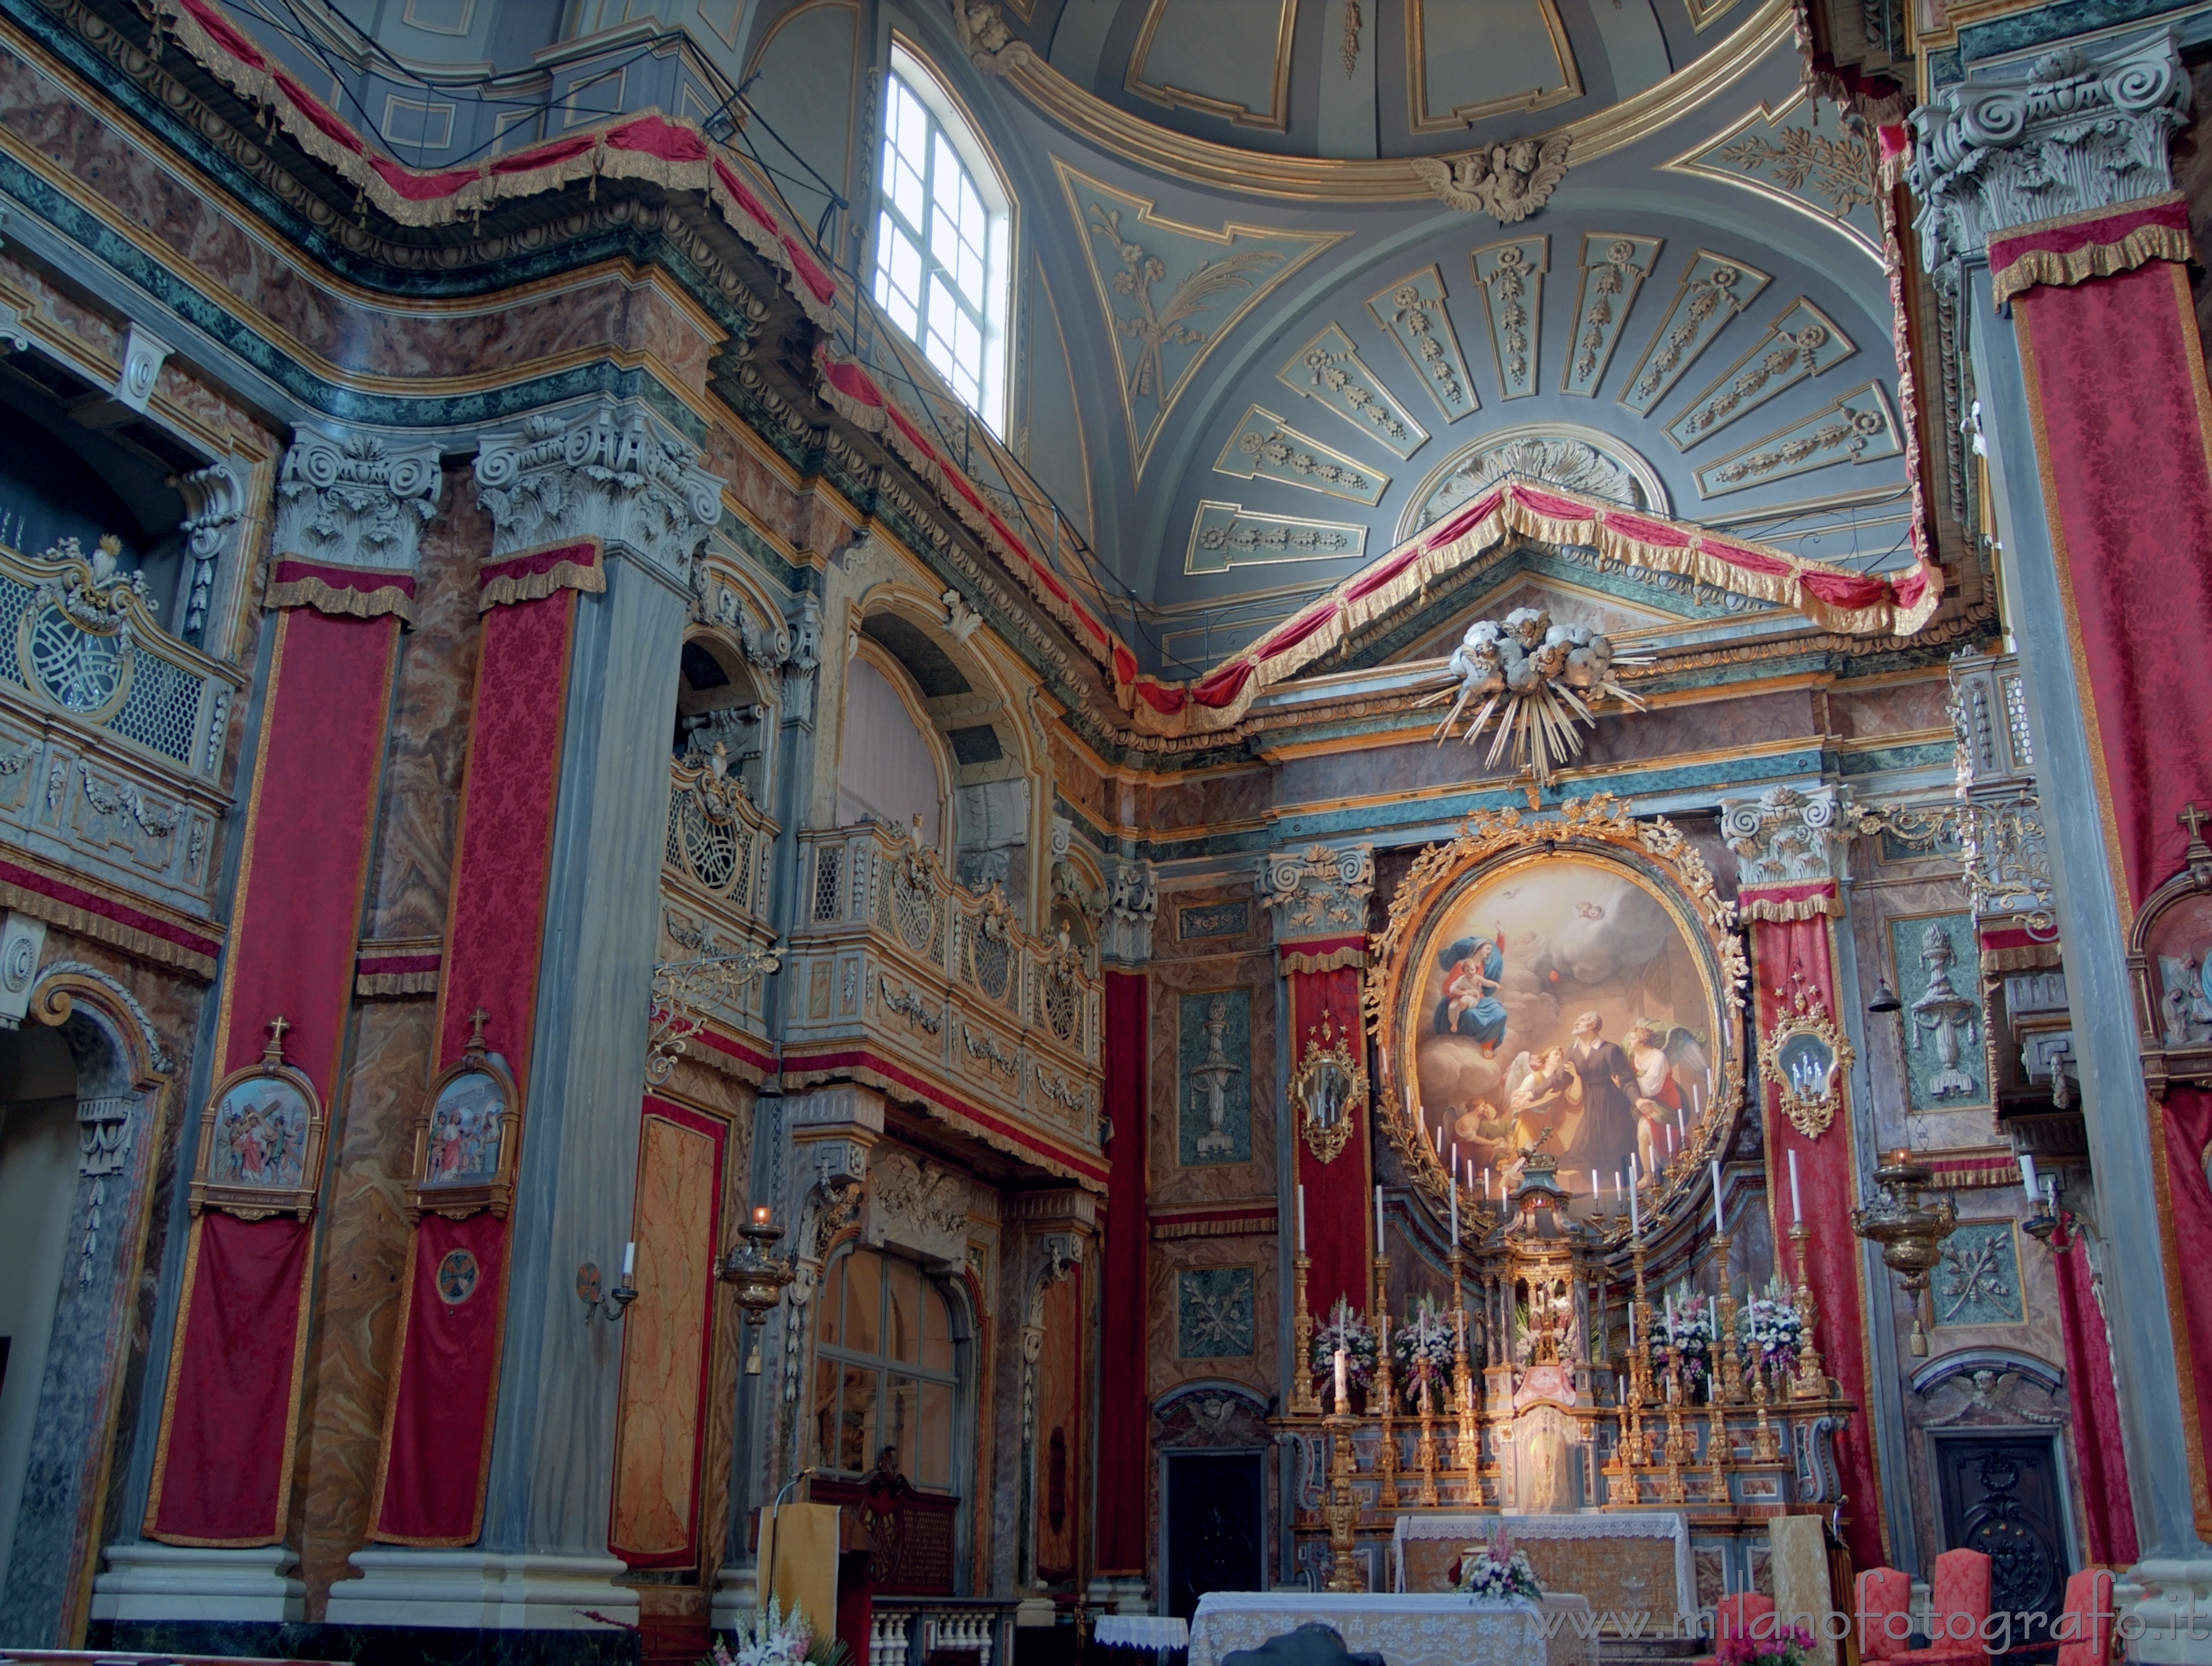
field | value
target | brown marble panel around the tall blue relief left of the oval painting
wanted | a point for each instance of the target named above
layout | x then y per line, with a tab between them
1185	988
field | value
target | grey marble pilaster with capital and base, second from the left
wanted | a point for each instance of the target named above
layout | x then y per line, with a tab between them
618	477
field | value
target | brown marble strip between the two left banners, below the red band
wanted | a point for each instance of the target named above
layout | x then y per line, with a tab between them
357	1295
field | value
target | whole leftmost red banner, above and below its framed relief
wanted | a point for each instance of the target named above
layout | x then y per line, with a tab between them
236	1366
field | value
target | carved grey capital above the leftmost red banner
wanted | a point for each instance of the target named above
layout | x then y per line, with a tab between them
355	501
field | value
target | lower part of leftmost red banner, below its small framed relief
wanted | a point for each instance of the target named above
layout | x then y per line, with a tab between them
229	1433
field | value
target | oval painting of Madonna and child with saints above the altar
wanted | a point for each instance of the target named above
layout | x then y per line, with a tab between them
1561	1003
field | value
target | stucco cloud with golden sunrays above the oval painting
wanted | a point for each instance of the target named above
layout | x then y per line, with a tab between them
1536	678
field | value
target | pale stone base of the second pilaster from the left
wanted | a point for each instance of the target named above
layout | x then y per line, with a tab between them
479	1592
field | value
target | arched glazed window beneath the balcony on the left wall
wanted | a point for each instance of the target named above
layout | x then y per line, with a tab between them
884	1373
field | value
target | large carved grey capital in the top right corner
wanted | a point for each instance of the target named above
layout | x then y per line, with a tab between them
2065	134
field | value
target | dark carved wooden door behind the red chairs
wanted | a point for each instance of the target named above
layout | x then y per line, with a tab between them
2001	1497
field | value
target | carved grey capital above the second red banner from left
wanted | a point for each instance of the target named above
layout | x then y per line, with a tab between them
616	475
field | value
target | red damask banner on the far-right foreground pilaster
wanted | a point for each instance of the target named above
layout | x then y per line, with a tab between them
2118	399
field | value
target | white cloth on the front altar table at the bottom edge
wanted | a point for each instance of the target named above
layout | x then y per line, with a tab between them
1441	1629
